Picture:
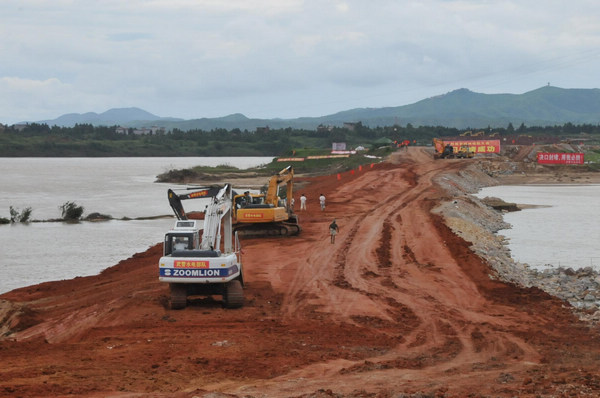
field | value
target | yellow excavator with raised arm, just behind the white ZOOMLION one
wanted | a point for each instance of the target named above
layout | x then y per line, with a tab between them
266	214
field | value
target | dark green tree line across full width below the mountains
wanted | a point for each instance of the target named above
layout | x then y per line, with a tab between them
87	140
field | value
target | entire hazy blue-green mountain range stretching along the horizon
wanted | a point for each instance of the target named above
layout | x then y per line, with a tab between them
461	108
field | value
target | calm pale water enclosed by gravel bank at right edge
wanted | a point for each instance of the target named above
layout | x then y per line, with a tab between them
562	232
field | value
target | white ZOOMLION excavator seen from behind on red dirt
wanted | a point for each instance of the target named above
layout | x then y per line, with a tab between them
203	266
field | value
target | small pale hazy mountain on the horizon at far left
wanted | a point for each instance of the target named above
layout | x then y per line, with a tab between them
120	116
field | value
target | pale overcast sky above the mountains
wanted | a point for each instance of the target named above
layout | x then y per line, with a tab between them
283	58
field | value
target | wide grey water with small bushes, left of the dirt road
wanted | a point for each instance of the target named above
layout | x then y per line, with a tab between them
120	187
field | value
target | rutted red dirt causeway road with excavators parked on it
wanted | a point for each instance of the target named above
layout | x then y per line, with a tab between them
399	304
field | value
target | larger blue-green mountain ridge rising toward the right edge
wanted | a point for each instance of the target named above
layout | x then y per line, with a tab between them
463	108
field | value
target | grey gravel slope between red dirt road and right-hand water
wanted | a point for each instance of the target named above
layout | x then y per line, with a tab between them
478	223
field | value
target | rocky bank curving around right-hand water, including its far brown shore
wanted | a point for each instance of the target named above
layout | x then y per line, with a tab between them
476	221
